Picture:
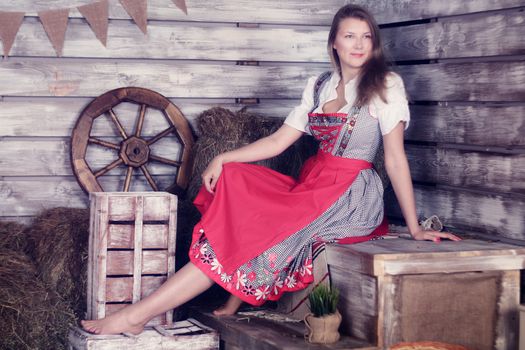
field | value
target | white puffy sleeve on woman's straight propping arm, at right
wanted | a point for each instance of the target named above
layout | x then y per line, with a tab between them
395	110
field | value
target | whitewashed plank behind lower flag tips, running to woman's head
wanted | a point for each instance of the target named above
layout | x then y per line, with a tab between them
178	40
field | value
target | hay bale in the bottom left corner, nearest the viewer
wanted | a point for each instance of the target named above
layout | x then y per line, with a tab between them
32	316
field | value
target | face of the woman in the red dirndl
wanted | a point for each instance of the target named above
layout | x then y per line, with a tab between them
353	44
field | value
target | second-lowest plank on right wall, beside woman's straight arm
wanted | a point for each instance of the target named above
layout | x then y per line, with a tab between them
502	173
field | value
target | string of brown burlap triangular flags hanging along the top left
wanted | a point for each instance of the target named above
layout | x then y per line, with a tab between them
55	21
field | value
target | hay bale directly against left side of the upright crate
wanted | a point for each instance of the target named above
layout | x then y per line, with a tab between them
64	231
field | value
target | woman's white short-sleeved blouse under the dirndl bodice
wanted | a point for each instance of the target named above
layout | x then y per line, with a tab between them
389	114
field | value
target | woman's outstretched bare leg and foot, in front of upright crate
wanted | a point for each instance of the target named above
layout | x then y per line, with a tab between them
184	285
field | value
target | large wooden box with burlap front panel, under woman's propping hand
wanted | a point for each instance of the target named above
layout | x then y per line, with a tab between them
396	290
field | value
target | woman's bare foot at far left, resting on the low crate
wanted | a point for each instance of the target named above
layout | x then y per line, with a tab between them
119	322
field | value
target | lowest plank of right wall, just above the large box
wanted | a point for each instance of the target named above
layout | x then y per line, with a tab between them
472	211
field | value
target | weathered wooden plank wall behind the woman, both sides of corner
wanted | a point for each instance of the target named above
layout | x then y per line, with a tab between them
462	61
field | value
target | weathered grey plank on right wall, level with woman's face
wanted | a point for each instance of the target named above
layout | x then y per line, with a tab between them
467	36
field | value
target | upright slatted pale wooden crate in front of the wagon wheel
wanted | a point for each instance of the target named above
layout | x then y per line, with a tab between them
131	249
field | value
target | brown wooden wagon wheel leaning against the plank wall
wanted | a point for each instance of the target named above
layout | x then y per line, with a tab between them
134	150
